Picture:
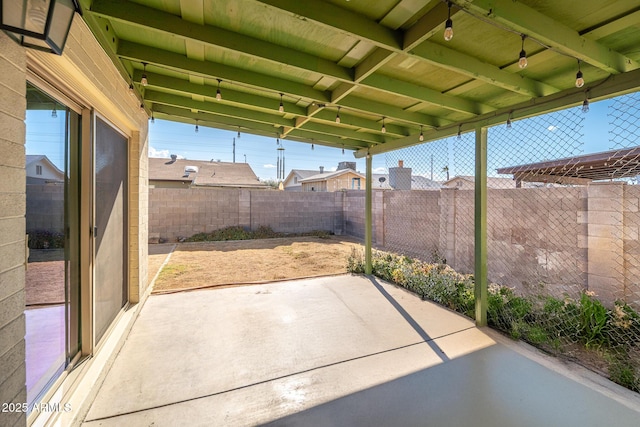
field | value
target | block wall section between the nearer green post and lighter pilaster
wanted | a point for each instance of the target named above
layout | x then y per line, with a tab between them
533	239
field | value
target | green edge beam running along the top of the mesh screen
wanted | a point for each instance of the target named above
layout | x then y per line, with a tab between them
611	86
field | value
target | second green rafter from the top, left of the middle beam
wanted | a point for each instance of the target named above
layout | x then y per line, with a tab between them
177	62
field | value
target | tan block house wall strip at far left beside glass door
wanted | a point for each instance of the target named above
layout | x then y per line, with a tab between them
12	228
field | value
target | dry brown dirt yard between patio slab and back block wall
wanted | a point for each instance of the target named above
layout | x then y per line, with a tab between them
197	265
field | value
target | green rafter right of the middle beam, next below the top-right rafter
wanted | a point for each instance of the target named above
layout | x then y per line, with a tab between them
475	68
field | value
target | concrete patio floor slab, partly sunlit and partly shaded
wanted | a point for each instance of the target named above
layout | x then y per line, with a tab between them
336	351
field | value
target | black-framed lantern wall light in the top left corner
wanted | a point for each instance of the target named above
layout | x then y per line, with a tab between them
39	24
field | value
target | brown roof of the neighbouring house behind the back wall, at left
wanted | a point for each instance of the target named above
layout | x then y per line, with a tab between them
207	173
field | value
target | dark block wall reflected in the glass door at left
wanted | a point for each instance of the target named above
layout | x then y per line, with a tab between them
45	207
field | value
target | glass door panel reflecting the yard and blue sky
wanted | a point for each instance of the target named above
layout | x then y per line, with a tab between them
52	217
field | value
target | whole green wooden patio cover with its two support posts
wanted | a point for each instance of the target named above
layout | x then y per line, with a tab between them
369	76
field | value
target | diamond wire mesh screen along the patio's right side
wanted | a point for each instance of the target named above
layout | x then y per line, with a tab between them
563	220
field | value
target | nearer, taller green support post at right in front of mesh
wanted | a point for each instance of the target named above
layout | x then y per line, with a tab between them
480	226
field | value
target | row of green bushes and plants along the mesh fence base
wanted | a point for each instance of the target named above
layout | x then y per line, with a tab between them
582	329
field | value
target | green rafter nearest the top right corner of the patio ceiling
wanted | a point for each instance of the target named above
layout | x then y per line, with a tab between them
526	20
